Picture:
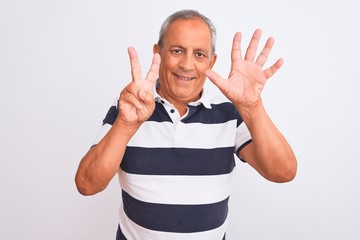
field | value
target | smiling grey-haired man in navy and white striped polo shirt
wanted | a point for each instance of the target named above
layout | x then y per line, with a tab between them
175	144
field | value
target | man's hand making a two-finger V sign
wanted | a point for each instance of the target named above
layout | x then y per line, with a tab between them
136	102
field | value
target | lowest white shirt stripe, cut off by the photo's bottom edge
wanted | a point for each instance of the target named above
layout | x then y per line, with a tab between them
132	231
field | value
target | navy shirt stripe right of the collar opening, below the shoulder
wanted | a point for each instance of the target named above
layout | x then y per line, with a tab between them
219	113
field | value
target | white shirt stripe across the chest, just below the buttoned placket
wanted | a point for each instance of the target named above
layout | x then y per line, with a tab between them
194	135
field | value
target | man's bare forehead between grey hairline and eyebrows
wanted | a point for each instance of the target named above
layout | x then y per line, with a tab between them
188	33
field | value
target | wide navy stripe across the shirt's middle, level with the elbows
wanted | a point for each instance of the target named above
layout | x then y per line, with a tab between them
178	161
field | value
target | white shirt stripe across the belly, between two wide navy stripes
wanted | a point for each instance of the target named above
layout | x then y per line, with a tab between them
177	189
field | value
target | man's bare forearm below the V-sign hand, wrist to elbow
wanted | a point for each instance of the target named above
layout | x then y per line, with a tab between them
101	162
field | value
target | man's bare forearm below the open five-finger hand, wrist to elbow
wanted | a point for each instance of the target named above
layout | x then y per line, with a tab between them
272	155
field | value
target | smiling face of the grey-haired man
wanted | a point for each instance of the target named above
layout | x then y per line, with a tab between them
185	56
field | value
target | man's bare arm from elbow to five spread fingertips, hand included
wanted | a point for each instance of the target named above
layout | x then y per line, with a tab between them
269	153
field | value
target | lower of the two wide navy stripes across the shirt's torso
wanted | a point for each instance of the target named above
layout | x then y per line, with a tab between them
175	218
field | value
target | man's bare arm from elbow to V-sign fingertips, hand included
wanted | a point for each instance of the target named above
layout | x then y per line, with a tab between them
136	104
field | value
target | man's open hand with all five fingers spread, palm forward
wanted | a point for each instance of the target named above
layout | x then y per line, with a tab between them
247	77
